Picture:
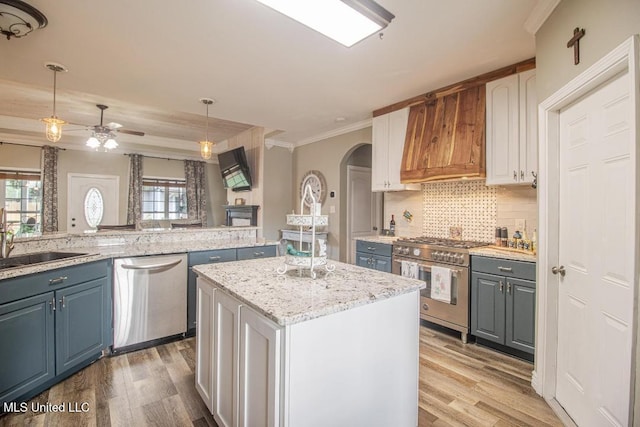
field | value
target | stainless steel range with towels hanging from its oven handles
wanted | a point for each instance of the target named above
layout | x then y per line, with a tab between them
423	253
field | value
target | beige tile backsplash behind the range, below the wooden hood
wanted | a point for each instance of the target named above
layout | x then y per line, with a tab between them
472	205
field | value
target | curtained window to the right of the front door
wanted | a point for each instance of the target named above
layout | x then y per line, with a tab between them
164	199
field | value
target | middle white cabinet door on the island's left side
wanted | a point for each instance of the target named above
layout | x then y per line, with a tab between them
225	357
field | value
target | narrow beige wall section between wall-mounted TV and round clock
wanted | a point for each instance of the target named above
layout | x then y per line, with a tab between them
278	189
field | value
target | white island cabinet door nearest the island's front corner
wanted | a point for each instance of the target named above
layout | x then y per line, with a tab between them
260	370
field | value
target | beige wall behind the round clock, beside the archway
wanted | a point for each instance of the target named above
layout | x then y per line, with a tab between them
329	157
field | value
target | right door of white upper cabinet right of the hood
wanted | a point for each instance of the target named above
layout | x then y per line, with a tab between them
528	126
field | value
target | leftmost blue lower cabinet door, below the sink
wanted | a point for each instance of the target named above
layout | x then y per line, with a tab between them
27	352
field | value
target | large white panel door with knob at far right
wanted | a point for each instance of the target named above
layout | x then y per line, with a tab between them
596	247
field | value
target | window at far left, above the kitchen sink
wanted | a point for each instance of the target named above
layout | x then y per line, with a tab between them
21	196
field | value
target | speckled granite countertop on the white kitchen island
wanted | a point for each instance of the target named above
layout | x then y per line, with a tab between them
288	299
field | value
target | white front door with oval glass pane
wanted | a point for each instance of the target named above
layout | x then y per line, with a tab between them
91	200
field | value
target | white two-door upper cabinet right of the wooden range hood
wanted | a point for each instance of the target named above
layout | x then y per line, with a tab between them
512	129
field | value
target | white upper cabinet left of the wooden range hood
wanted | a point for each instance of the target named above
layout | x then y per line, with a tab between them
389	131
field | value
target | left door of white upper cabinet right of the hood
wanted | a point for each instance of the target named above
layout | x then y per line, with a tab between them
503	131
